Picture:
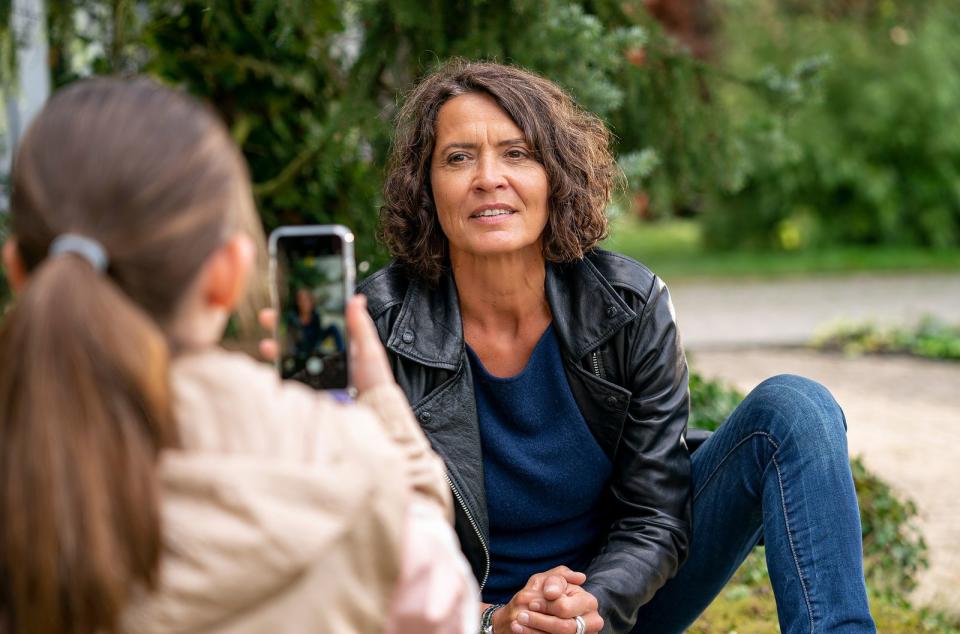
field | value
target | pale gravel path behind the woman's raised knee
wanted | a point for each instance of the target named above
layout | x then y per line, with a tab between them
903	414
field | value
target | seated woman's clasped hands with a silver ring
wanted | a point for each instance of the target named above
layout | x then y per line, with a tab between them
549	604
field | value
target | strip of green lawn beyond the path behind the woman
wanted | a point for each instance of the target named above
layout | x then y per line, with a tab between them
674	249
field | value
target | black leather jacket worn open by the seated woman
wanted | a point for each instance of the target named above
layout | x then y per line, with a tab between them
625	366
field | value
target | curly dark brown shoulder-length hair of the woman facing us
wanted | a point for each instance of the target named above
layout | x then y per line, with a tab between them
572	144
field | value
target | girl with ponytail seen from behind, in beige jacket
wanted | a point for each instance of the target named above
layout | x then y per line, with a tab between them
152	482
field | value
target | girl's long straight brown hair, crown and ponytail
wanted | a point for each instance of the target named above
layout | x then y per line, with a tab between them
85	404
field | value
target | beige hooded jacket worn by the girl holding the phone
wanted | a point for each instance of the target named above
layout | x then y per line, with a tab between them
286	512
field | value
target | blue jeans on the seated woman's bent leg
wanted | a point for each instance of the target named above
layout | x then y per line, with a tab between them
778	467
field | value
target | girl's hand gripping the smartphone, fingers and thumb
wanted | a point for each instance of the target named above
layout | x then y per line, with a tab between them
368	360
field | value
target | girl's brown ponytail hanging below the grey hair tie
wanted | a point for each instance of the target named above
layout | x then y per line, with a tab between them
85	409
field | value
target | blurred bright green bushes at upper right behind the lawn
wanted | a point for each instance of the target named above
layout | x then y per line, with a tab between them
869	154
